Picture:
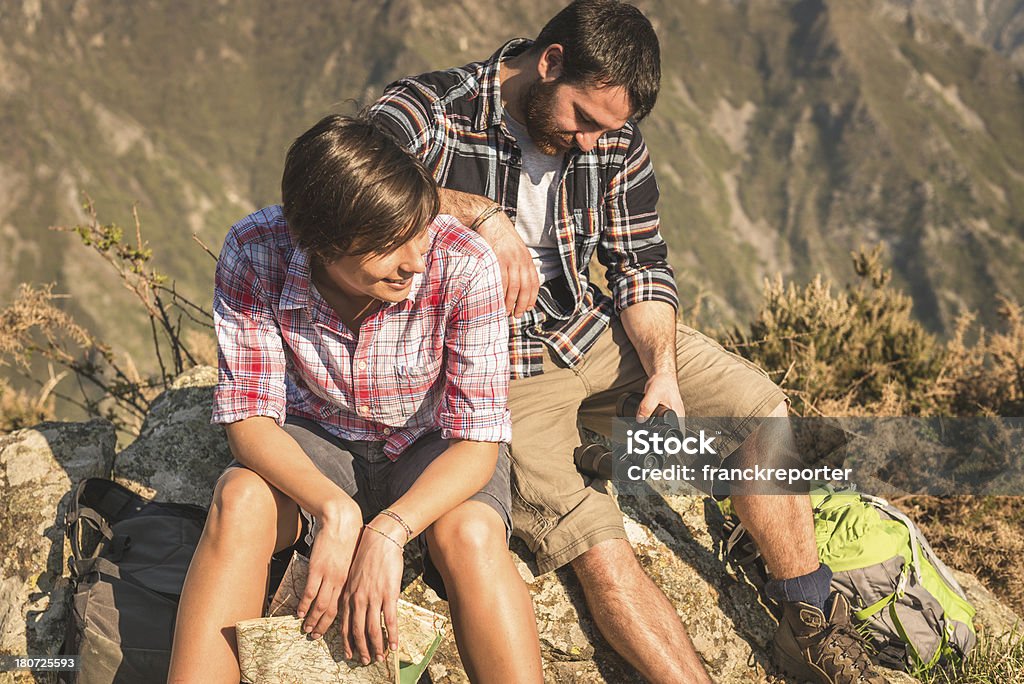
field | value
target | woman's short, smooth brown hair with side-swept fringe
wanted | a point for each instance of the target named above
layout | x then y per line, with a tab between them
350	189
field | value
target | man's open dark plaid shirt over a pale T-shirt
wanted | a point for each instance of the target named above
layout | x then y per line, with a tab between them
607	202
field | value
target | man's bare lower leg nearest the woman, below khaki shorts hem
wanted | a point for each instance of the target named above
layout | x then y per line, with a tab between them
635	617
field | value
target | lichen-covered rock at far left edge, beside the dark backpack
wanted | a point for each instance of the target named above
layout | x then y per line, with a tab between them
38	468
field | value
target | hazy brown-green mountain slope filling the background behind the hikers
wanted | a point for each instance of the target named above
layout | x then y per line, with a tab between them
786	135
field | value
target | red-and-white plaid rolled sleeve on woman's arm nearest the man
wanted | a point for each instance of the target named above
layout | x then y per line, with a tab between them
476	403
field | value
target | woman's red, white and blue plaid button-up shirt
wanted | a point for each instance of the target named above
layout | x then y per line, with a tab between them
436	360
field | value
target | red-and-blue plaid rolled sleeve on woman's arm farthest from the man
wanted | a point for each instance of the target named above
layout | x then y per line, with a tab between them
250	353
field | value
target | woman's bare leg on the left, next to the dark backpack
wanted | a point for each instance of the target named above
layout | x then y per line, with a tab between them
227	582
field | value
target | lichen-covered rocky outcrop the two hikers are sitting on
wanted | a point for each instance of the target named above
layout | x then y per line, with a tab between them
179	456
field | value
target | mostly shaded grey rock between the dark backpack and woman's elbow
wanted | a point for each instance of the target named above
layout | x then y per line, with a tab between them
179	454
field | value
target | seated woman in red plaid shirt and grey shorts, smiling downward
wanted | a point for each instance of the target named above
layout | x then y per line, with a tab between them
363	384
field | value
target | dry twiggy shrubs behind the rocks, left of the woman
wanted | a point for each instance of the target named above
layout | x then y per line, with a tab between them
35	328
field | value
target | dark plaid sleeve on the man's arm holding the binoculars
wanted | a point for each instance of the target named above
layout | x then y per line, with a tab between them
631	247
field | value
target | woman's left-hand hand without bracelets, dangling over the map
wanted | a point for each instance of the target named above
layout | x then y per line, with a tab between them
330	560
